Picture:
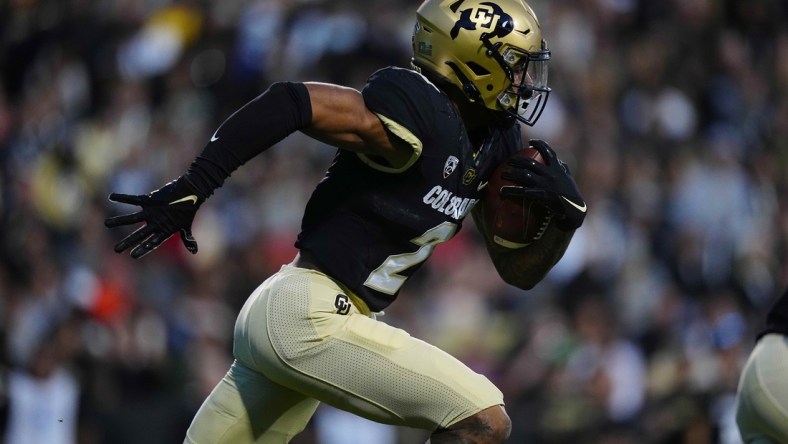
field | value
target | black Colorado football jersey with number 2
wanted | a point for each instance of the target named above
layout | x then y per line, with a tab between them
370	226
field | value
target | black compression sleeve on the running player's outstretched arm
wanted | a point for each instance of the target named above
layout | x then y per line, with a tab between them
273	115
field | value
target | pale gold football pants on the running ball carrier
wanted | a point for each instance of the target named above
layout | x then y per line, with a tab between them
300	339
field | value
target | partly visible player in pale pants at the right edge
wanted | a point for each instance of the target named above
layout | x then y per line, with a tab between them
762	396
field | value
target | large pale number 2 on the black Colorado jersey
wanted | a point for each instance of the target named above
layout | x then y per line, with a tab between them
386	278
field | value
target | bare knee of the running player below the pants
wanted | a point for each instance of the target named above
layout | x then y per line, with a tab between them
490	426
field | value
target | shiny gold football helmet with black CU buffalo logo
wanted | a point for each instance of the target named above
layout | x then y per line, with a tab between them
492	50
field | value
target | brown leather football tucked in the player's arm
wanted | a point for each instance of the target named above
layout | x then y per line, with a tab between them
514	222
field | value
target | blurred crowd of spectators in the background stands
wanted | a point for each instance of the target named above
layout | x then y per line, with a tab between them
672	114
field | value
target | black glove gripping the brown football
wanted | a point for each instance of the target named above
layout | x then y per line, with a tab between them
550	183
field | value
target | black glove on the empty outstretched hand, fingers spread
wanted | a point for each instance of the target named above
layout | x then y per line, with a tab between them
165	211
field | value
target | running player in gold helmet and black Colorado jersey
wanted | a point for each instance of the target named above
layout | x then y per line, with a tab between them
416	148
